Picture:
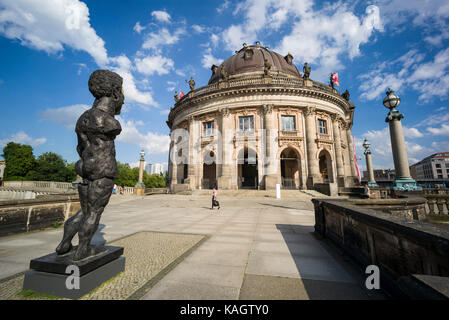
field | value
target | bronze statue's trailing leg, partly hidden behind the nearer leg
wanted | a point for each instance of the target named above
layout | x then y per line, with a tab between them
72	224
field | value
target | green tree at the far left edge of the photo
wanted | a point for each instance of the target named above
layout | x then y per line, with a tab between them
19	160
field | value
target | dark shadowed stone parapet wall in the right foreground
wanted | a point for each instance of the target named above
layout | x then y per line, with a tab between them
399	247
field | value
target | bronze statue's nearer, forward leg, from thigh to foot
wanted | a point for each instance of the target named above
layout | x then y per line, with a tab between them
99	192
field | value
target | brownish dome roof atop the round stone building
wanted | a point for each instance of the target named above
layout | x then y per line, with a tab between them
252	59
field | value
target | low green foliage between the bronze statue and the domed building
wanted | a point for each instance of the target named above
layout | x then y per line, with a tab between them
128	177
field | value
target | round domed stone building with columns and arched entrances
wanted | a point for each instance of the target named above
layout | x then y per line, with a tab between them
259	122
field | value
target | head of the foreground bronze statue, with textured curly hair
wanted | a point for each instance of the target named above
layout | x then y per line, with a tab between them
105	83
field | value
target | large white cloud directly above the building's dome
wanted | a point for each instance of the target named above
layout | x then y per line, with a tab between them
319	37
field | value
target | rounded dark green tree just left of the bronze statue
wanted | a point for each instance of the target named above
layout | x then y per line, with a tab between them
51	167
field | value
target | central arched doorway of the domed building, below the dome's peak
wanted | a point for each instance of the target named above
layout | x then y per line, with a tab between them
247	169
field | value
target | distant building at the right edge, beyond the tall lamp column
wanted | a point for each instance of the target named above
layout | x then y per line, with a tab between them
434	167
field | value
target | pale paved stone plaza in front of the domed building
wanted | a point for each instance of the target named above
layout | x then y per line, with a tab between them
176	247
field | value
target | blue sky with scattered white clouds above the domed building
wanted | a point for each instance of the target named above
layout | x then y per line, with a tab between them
50	47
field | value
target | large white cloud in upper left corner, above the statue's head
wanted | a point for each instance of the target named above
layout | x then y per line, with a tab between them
50	25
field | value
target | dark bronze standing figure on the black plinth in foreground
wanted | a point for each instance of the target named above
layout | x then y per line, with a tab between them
96	130
